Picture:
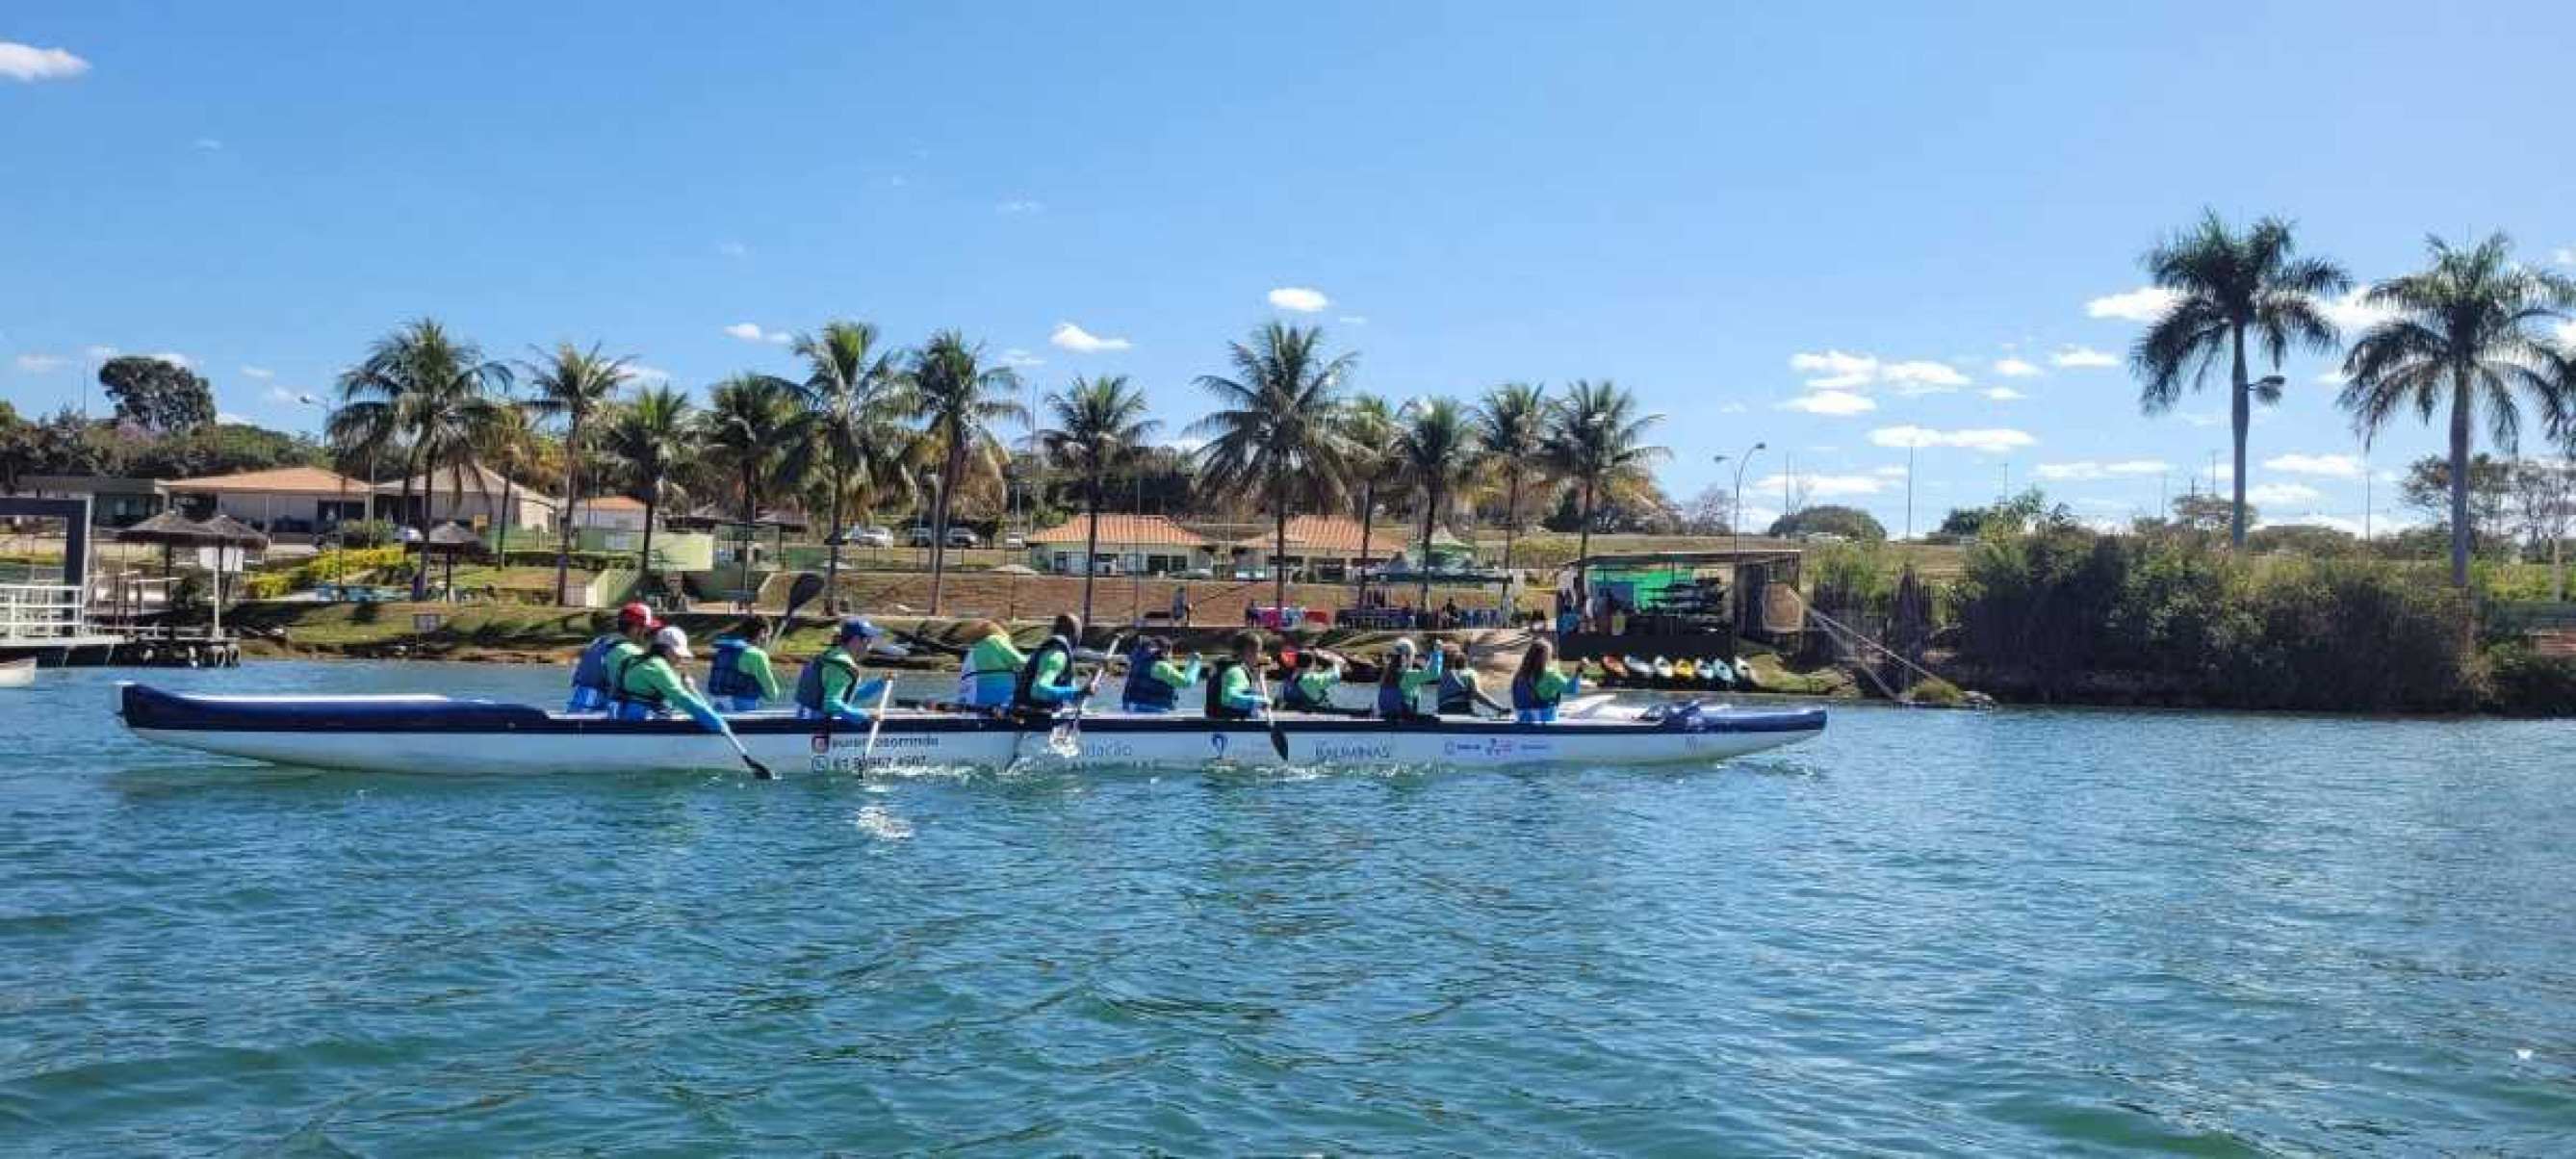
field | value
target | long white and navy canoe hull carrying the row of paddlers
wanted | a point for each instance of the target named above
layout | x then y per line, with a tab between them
452	735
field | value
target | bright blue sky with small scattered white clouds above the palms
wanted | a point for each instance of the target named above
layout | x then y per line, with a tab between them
1807	231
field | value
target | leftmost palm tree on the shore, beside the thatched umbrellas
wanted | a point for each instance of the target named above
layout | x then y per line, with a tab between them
434	395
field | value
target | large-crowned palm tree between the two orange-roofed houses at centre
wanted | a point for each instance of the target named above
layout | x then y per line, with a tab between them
1276	429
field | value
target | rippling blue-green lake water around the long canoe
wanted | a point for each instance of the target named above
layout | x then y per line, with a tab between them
1938	934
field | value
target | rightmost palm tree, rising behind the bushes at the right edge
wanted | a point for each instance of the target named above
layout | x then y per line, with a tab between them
2467	331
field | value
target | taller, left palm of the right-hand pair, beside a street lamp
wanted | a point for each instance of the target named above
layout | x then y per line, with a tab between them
2232	287
